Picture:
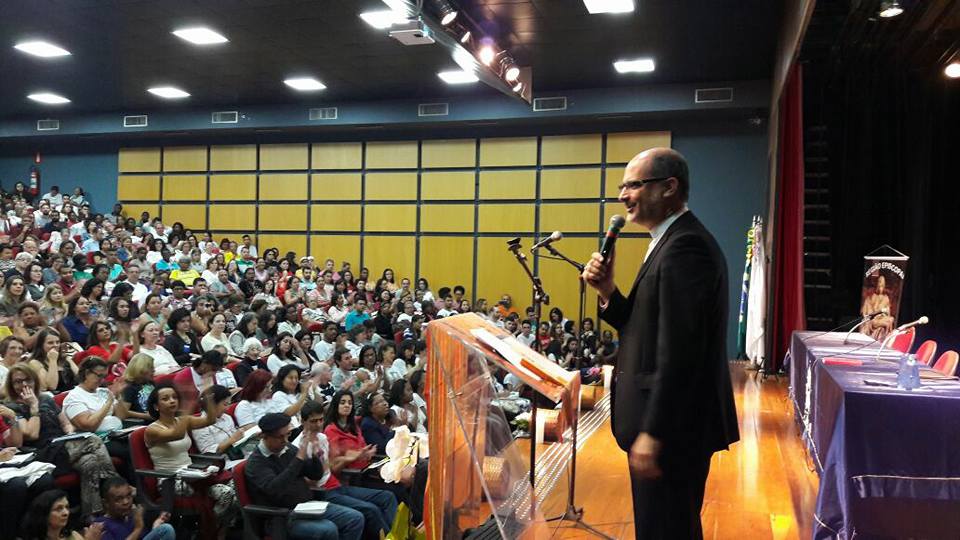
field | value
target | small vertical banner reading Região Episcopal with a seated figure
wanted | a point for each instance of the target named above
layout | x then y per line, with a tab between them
883	277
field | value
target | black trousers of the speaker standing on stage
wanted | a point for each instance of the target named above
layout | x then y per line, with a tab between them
668	508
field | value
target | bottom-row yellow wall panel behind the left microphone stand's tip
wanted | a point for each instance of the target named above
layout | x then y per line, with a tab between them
498	273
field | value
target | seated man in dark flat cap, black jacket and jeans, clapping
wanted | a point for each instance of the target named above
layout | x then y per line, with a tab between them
277	474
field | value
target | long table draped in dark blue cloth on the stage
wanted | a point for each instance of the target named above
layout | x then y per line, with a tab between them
888	459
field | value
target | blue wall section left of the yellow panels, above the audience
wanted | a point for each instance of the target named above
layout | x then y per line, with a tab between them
96	173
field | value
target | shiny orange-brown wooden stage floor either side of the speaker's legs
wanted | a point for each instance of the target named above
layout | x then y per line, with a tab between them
760	489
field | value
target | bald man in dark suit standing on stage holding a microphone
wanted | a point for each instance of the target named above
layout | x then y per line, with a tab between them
672	399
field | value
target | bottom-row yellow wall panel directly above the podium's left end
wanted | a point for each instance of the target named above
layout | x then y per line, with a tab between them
440	268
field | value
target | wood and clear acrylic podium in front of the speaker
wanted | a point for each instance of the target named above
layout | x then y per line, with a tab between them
476	471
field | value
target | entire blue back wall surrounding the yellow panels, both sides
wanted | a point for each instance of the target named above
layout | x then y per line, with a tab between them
727	157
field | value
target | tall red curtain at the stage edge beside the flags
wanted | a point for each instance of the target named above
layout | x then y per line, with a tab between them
788	311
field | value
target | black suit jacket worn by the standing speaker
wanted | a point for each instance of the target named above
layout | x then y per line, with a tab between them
672	379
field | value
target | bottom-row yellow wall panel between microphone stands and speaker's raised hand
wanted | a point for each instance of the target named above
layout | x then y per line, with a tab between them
562	280
